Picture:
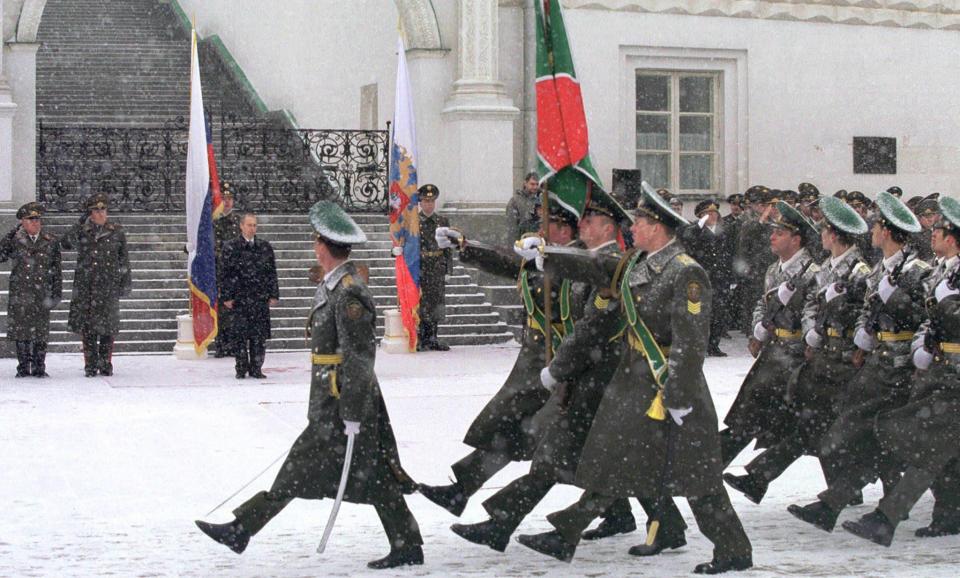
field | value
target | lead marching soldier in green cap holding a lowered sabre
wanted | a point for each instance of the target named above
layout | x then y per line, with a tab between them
345	401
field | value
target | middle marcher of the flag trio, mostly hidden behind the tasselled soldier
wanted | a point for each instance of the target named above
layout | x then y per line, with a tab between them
575	380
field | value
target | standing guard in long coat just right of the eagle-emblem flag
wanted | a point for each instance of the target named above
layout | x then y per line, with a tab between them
435	265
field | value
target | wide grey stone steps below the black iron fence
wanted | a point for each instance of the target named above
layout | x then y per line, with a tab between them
148	314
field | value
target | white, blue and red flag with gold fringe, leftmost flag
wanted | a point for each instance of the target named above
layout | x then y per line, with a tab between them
201	187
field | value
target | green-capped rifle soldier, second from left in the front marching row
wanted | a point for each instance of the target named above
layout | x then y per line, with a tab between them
829	319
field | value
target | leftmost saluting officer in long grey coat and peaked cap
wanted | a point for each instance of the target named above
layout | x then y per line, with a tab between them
35	288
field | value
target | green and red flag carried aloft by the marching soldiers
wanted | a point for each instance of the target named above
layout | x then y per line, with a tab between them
563	148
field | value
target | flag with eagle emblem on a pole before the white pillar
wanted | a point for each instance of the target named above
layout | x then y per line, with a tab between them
404	216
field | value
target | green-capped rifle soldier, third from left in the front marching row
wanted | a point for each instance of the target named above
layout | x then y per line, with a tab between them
892	312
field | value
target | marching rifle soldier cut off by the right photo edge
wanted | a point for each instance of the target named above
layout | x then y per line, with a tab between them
923	434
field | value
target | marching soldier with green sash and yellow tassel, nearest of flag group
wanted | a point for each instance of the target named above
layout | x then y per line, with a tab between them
636	447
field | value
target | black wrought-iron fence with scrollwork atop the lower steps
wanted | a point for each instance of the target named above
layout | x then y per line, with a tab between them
271	169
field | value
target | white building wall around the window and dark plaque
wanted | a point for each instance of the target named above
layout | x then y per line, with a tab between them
811	89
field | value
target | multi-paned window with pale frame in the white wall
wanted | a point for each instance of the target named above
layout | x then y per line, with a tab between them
678	130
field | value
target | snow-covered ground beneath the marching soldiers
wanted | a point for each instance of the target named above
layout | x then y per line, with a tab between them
105	476
